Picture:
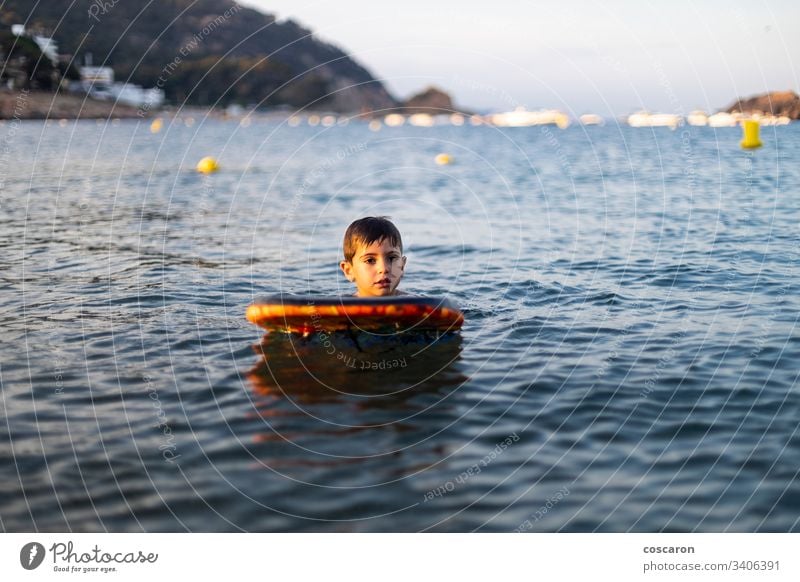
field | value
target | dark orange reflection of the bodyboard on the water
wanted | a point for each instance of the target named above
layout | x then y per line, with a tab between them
298	380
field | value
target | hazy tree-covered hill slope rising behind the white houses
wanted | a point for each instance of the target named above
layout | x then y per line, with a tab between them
205	52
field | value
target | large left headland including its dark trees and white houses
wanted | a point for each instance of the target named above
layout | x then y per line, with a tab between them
209	54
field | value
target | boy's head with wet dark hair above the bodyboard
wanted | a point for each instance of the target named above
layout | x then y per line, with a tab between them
373	256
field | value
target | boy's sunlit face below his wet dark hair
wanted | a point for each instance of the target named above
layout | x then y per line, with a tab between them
376	269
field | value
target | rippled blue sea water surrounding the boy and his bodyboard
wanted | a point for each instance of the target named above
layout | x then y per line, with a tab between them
629	360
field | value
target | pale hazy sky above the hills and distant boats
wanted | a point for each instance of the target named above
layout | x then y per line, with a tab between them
610	57
